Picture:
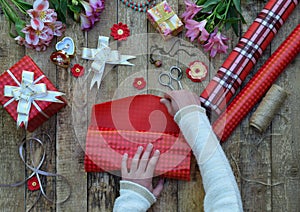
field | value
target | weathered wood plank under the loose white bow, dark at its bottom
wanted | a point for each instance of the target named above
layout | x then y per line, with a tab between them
102	187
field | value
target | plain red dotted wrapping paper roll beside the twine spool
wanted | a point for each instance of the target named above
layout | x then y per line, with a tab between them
258	86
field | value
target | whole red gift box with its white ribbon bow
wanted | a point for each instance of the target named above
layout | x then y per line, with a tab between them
28	95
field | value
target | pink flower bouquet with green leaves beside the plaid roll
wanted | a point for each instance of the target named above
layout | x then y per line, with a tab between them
205	19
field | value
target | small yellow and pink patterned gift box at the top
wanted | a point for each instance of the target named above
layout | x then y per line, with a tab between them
164	19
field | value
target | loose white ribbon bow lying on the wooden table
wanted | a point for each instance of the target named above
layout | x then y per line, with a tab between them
102	55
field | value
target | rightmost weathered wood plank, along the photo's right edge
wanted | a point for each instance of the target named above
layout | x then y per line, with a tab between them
285	150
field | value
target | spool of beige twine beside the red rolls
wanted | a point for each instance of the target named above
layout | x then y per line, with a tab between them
268	107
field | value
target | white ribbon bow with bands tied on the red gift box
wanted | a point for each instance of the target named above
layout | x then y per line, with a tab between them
26	93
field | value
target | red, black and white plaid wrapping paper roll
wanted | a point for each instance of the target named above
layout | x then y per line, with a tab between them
237	66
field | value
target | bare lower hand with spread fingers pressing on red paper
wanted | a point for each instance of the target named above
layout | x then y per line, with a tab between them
142	169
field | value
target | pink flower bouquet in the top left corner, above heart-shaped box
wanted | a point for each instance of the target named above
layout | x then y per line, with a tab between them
35	25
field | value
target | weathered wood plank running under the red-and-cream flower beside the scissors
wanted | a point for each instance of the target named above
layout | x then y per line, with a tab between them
190	194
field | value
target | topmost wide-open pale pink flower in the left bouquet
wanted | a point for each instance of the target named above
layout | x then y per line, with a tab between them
40	14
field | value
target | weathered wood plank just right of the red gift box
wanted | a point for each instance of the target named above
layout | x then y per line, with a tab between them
68	147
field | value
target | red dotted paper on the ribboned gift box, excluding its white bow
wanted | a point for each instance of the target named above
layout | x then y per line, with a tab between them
36	118
